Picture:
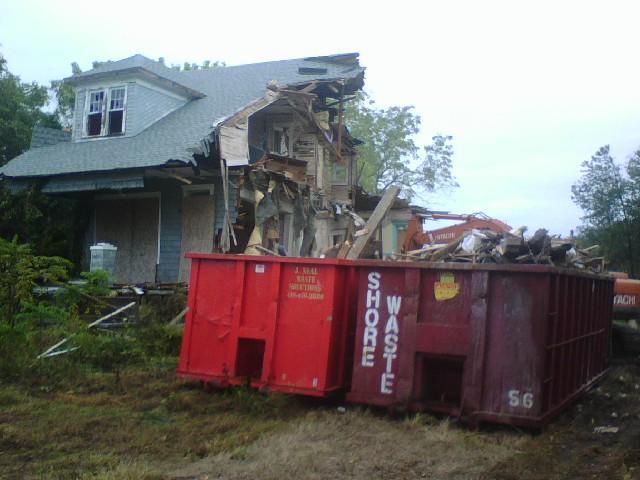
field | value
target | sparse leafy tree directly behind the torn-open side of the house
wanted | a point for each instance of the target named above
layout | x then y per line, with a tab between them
390	154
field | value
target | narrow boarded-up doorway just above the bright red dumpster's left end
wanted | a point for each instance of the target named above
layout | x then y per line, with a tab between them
198	211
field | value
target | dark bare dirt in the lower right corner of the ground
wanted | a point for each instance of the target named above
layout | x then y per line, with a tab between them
572	448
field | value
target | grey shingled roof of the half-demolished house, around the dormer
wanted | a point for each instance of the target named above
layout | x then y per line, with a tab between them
175	137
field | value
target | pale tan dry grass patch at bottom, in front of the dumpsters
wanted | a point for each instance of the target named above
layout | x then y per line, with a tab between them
360	445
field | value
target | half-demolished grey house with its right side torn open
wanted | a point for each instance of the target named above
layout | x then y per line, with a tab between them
251	158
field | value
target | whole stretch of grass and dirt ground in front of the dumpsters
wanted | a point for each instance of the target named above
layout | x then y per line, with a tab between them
161	428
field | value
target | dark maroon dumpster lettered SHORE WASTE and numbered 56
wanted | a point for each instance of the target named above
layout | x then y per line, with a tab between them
501	343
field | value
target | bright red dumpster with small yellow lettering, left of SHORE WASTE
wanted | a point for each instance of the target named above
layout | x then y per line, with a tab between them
279	323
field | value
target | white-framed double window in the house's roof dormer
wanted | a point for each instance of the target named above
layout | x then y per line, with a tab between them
105	113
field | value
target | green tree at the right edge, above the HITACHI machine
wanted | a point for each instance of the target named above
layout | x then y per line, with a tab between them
609	195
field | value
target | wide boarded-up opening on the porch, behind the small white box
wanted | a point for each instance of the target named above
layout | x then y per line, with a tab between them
131	224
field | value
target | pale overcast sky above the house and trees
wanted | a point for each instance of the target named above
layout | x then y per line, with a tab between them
528	90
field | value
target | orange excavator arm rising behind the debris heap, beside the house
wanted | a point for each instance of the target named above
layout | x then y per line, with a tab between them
416	237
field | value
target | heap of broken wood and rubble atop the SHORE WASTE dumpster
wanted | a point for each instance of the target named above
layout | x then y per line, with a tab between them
484	246
